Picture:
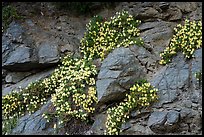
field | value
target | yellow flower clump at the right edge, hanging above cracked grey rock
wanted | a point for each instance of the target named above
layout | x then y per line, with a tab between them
187	39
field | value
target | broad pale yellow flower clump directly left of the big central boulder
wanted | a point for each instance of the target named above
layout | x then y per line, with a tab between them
75	92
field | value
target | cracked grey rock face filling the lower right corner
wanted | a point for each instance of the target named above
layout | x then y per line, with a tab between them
178	89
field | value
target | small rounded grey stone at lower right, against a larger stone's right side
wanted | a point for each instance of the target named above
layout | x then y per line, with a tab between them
172	117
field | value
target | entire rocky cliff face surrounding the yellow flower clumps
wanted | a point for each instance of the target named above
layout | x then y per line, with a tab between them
32	48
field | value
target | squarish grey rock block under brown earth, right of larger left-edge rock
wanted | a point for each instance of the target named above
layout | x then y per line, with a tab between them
48	53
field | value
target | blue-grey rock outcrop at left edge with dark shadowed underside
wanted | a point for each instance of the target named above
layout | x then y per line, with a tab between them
19	51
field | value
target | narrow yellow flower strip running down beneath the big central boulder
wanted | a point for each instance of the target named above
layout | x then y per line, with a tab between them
141	95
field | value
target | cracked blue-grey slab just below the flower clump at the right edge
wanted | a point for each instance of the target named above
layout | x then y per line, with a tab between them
170	78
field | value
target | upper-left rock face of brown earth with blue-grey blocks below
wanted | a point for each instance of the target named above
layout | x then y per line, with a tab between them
29	46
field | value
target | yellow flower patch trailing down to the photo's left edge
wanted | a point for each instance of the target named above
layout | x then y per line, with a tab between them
26	100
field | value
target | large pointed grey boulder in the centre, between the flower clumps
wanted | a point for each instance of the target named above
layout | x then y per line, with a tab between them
118	72
